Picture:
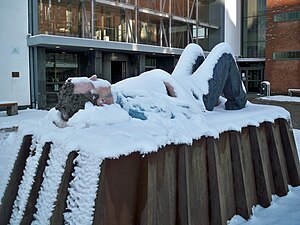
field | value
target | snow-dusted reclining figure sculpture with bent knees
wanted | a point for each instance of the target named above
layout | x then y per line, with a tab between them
195	79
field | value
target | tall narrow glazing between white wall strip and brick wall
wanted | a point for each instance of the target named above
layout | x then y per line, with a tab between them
254	28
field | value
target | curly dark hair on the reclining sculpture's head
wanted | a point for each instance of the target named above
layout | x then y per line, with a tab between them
70	103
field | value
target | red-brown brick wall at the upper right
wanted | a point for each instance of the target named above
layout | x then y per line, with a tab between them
282	37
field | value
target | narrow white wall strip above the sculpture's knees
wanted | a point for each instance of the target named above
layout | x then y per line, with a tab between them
232	23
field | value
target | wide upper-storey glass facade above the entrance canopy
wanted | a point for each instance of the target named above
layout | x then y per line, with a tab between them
168	23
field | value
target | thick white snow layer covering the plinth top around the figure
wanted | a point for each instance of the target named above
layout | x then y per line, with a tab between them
108	132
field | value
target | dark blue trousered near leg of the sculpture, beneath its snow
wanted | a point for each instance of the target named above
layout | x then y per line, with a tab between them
226	79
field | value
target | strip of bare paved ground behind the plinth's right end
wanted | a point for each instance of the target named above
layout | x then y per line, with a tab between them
292	107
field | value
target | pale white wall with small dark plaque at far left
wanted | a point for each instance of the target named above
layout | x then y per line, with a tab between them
14	54
